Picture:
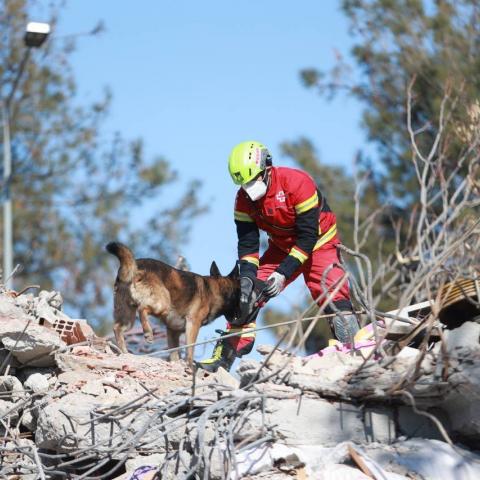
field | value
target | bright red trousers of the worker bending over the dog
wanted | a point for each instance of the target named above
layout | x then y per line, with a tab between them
312	270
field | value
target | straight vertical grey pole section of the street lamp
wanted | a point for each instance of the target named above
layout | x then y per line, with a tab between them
7	200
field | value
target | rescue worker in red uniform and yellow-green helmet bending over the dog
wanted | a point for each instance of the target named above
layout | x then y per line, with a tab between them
302	239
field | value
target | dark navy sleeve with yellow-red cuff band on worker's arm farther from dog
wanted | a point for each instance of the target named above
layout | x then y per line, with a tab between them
306	226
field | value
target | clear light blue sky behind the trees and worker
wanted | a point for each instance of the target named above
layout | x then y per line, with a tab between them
195	78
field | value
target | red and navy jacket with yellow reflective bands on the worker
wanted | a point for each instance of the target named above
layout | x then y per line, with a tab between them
294	215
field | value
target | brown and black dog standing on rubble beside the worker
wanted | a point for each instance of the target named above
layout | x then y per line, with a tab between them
183	301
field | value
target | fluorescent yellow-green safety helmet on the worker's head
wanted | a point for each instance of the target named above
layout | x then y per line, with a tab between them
247	160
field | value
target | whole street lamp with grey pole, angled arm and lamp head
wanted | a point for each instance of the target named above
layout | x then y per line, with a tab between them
35	35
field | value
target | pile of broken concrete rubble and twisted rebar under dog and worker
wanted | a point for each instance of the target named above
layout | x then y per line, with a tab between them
71	406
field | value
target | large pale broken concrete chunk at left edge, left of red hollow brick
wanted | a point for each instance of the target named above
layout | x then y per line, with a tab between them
30	343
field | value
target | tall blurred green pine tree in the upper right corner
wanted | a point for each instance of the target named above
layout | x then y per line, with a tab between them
436	43
